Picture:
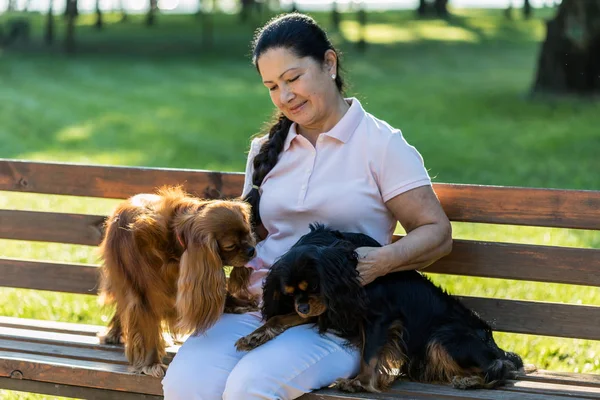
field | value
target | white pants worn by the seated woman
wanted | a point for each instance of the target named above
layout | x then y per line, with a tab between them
208	367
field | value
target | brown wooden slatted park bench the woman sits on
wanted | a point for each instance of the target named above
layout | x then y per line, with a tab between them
65	359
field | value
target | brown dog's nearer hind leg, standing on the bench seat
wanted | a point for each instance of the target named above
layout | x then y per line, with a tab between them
144	344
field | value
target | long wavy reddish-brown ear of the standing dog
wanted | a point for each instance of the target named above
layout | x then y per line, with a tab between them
201	287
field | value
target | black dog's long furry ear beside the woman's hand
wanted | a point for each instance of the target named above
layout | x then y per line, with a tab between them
341	288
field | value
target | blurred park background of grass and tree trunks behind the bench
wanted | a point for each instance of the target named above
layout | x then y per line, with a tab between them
494	92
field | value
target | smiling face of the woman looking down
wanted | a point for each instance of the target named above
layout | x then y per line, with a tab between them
301	88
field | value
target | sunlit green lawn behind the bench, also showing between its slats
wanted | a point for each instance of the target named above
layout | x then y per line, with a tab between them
156	97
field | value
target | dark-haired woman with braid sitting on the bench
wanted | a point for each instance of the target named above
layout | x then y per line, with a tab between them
324	159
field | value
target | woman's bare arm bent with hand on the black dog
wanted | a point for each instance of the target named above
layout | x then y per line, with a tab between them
428	238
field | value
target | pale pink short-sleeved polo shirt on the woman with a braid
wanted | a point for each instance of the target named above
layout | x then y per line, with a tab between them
343	181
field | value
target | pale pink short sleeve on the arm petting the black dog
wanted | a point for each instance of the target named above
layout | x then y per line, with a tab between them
402	168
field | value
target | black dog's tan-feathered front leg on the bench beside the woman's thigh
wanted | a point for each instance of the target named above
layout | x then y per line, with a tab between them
382	358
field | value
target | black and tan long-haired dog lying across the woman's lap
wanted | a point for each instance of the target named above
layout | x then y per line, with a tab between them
402	322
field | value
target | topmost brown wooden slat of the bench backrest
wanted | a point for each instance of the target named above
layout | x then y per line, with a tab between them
467	203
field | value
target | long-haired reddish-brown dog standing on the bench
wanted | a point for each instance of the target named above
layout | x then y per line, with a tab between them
163	259
